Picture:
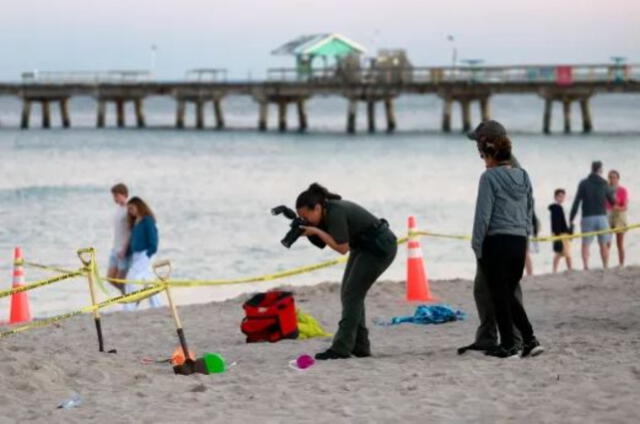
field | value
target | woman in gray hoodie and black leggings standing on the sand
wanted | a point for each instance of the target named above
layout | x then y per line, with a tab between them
502	223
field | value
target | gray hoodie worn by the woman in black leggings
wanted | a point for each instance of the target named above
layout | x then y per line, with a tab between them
504	205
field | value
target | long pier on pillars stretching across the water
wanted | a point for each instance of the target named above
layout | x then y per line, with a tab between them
468	86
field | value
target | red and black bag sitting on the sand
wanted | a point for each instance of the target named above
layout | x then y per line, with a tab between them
270	317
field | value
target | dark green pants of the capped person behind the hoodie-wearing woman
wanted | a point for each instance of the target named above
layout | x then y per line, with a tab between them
487	333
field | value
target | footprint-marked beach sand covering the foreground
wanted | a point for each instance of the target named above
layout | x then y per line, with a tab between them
589	322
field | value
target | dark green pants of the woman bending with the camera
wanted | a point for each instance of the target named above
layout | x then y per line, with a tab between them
363	269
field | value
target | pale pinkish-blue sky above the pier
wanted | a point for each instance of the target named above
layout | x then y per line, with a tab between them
239	35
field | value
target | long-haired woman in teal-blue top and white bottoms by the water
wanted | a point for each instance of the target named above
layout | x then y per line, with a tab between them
143	245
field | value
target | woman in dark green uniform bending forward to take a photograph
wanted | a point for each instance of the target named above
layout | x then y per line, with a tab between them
347	227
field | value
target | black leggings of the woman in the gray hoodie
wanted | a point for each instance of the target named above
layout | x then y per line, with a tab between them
502	261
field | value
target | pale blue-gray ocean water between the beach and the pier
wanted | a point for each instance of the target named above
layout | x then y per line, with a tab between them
212	191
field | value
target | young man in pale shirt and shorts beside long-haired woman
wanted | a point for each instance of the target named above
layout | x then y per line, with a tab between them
118	260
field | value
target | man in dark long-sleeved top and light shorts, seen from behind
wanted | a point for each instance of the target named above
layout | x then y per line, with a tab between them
592	194
